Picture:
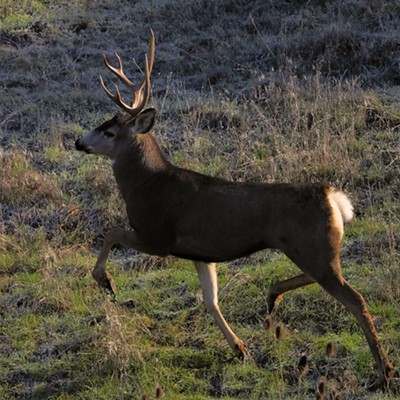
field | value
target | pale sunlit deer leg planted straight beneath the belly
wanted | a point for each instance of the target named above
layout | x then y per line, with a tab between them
208	279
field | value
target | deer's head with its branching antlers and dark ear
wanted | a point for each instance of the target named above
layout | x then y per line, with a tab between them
117	132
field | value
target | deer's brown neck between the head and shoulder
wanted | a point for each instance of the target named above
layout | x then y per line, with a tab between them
138	161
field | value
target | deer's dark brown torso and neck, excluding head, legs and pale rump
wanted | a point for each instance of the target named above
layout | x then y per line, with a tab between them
198	217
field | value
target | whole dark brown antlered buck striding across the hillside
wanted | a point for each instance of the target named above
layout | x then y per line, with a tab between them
178	212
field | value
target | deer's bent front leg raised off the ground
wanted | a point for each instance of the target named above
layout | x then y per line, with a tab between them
128	239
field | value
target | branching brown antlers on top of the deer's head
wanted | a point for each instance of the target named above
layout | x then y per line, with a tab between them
140	96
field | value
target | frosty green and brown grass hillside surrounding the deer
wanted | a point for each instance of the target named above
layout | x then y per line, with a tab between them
285	91
